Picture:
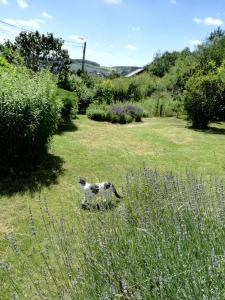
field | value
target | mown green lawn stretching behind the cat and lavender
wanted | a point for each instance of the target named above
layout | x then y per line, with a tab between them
103	151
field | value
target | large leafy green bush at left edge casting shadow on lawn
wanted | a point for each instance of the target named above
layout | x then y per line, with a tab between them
29	115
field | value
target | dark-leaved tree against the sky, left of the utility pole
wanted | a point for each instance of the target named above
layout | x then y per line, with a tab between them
42	51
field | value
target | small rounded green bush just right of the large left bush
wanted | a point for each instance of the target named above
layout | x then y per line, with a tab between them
69	104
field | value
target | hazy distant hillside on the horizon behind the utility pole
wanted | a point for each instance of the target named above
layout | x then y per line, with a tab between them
95	68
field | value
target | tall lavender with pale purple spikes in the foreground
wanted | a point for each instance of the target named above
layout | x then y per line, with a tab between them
165	240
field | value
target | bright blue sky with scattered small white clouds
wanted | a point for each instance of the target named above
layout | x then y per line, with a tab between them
117	32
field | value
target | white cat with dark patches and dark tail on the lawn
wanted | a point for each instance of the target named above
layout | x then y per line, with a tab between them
105	189
